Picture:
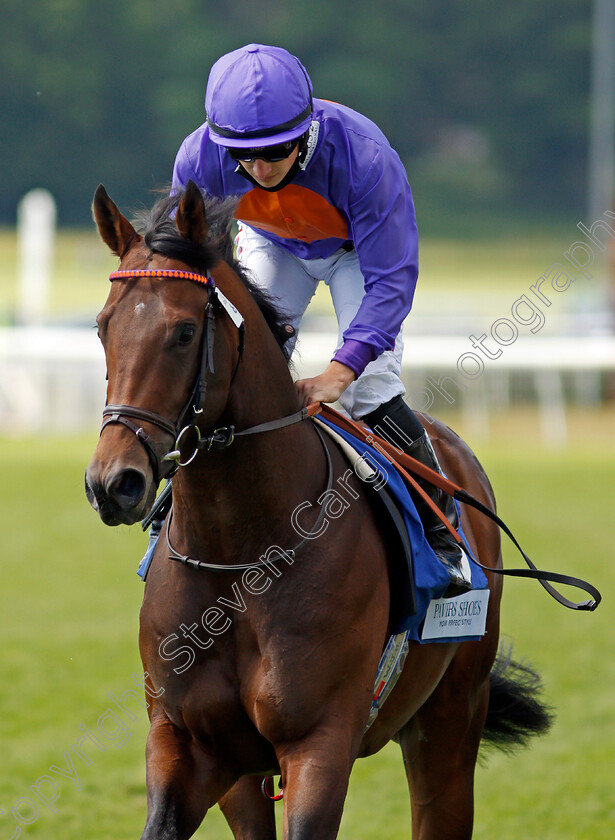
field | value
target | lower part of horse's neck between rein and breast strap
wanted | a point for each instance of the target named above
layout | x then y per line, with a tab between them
231	505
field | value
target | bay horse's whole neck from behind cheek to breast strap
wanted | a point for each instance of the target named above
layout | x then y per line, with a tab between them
228	499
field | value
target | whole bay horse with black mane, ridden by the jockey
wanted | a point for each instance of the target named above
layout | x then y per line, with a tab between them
259	662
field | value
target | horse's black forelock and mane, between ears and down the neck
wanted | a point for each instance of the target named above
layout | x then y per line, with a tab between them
162	237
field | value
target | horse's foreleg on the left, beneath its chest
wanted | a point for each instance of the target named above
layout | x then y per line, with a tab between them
183	782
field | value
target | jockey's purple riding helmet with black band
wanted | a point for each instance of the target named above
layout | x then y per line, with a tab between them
257	96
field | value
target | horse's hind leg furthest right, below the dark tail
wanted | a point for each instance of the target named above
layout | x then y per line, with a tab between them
440	747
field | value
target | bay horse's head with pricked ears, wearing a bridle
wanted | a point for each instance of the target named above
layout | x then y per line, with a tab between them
157	329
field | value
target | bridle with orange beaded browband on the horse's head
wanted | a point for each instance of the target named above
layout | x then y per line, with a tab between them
186	426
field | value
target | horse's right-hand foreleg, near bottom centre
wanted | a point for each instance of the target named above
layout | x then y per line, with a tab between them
315	776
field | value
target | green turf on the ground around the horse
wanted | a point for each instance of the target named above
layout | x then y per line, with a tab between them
70	601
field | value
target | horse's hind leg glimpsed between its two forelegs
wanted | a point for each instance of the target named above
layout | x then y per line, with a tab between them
249	814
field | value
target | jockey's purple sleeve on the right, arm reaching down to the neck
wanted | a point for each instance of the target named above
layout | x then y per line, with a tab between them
385	236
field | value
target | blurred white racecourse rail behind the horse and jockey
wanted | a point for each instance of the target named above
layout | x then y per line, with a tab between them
52	379
